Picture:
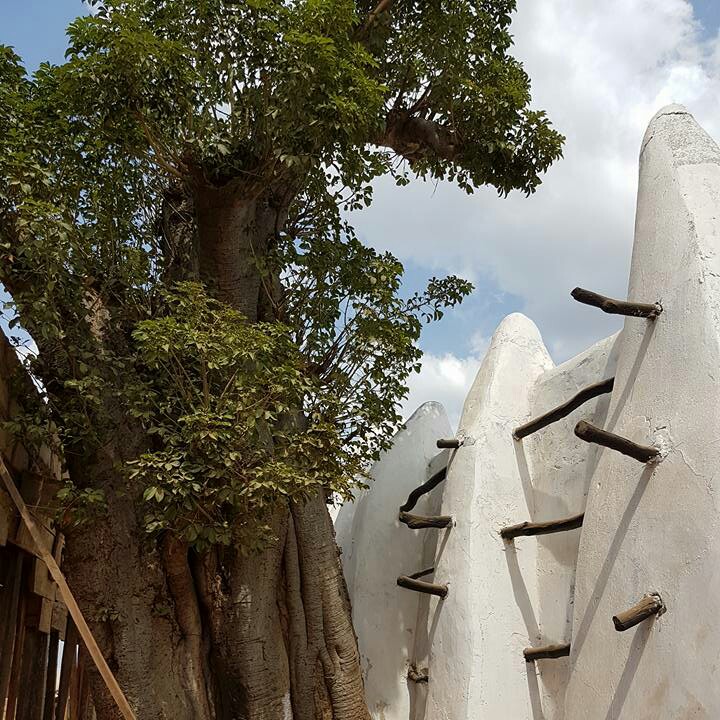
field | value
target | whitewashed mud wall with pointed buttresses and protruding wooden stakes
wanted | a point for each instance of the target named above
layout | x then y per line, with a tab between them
651	527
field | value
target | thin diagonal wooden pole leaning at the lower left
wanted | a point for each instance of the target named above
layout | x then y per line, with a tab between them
67	596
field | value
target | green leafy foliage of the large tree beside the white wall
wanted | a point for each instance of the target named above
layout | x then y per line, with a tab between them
213	420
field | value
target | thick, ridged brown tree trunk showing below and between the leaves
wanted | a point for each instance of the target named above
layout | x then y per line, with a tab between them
227	635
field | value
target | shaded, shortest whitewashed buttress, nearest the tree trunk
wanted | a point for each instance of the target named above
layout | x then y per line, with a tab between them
377	548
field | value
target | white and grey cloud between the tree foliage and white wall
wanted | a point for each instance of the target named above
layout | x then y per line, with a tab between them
601	70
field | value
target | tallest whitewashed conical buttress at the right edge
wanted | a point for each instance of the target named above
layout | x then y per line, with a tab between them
655	528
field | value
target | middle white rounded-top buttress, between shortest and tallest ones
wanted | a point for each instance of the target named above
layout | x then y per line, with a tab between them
476	668
